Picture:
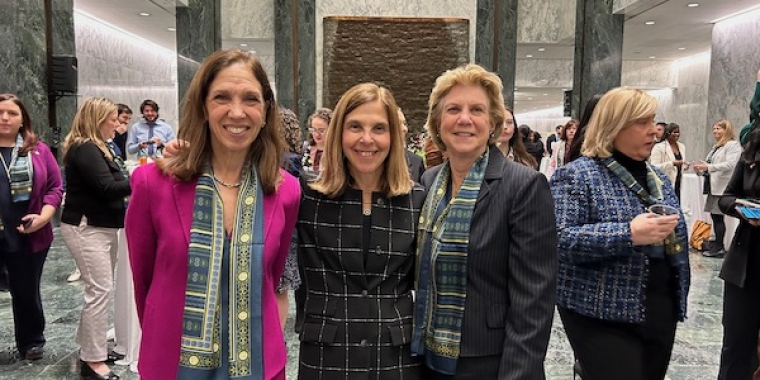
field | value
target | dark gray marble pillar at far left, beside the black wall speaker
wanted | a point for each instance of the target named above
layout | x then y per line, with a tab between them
23	60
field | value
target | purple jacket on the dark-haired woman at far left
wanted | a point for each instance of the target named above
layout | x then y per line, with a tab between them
47	189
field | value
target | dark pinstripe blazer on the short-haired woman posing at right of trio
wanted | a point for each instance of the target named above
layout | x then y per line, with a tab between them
511	269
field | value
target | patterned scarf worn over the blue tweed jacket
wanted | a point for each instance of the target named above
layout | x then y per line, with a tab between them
675	251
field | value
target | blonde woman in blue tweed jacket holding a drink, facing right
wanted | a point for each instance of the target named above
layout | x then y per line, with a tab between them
623	272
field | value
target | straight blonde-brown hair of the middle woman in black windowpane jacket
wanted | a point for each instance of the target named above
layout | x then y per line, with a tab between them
335	177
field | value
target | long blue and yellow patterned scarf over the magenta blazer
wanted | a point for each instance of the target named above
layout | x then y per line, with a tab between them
201	327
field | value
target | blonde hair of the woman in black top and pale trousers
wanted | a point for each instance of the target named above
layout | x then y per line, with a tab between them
86	125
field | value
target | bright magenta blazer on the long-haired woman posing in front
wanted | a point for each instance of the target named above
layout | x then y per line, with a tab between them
157	226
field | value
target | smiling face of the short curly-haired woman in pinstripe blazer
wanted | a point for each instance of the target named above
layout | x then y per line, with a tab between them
465	122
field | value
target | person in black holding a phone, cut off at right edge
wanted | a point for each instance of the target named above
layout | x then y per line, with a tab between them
741	269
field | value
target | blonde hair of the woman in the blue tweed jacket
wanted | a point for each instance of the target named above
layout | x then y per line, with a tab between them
617	109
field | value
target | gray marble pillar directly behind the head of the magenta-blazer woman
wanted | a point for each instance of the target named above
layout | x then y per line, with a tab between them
198	35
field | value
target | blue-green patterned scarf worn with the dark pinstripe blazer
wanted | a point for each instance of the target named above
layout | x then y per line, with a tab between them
443	238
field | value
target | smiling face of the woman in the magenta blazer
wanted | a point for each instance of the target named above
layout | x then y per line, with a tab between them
235	108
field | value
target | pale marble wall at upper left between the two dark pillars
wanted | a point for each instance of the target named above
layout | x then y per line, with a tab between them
124	68
